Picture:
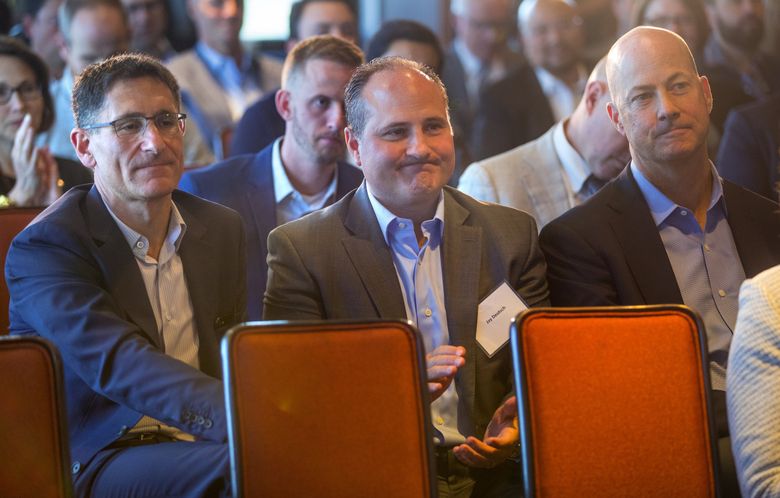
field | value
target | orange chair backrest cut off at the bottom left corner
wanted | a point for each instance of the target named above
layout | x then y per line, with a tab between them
33	433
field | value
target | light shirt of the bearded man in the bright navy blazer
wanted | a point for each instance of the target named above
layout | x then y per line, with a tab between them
291	204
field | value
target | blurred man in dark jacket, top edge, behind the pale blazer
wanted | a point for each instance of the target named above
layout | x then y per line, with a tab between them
481	66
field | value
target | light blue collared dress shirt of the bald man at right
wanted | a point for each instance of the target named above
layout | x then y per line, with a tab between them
706	265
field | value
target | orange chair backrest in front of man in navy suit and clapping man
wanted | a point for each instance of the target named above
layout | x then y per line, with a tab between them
328	409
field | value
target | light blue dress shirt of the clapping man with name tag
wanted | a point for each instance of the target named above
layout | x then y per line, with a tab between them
419	272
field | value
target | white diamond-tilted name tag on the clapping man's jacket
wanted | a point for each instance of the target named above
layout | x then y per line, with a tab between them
494	316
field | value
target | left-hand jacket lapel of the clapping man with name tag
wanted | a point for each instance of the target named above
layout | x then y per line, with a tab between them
372	258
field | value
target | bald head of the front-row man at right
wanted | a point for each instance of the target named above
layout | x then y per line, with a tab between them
659	101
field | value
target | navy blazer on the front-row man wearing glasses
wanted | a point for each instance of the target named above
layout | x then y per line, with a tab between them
73	279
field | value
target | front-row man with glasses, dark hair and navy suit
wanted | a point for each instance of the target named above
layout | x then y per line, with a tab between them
134	282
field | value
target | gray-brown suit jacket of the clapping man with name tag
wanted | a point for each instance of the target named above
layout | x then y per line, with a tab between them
335	264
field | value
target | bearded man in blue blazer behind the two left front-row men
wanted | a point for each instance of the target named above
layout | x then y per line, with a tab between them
298	173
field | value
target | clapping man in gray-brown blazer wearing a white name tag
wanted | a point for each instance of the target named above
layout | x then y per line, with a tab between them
403	245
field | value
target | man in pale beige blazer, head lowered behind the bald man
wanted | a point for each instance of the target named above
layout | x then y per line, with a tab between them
560	169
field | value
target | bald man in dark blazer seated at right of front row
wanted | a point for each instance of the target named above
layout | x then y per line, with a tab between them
668	229
